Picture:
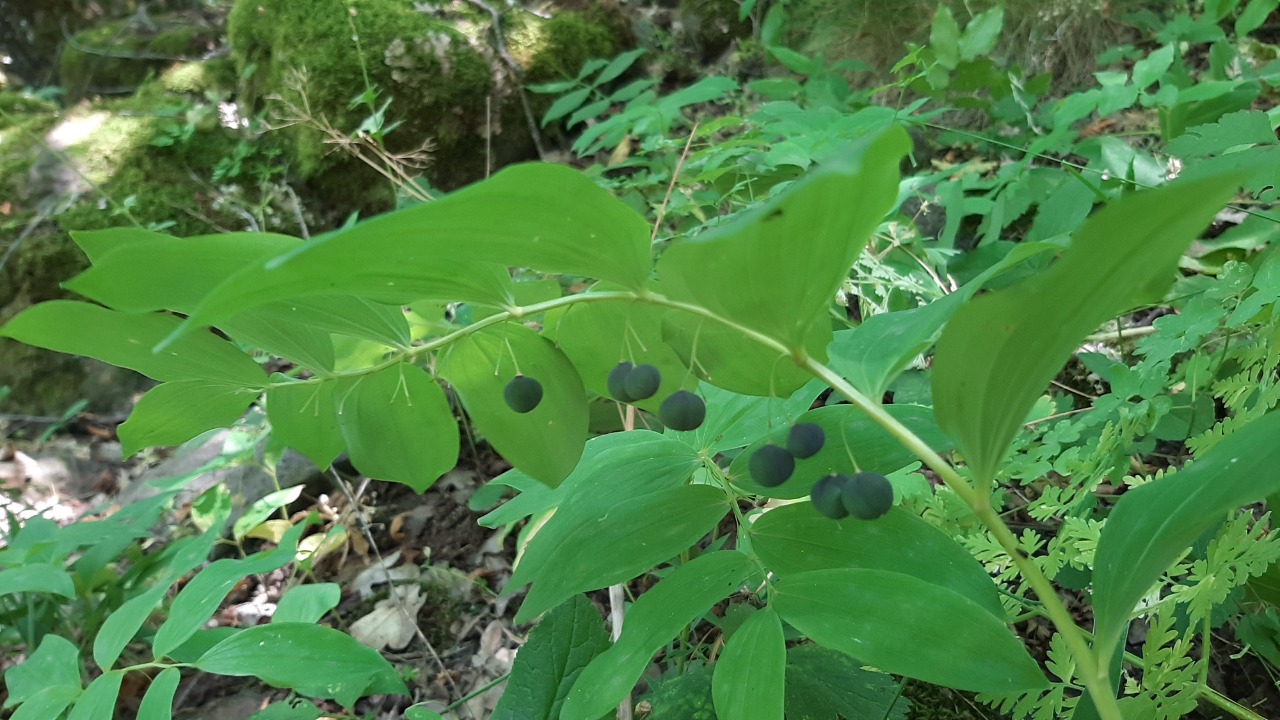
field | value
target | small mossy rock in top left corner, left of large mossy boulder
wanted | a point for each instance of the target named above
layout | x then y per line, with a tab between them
120	56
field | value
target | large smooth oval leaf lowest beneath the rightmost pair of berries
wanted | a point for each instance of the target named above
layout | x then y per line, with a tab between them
909	627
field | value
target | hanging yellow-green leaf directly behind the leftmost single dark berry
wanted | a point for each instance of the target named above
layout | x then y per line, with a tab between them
546	443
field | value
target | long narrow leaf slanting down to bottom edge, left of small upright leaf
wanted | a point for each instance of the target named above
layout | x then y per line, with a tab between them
680	599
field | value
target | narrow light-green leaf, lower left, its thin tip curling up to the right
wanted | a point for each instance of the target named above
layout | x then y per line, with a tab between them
207	591
